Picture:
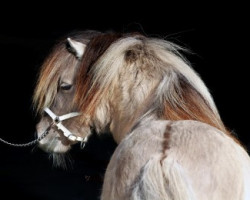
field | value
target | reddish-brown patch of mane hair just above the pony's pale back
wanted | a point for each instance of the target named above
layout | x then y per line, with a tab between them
191	106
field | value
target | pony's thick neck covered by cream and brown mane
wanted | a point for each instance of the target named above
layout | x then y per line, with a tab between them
134	77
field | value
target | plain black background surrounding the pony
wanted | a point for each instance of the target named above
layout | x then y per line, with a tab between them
217	35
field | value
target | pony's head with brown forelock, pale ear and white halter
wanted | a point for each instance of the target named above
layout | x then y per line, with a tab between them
55	91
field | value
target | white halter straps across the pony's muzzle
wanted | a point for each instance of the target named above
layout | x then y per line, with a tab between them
58	122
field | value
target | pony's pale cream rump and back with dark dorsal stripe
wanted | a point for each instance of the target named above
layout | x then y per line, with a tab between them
163	160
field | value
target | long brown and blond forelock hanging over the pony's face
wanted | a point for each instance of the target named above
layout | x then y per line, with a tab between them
56	62
